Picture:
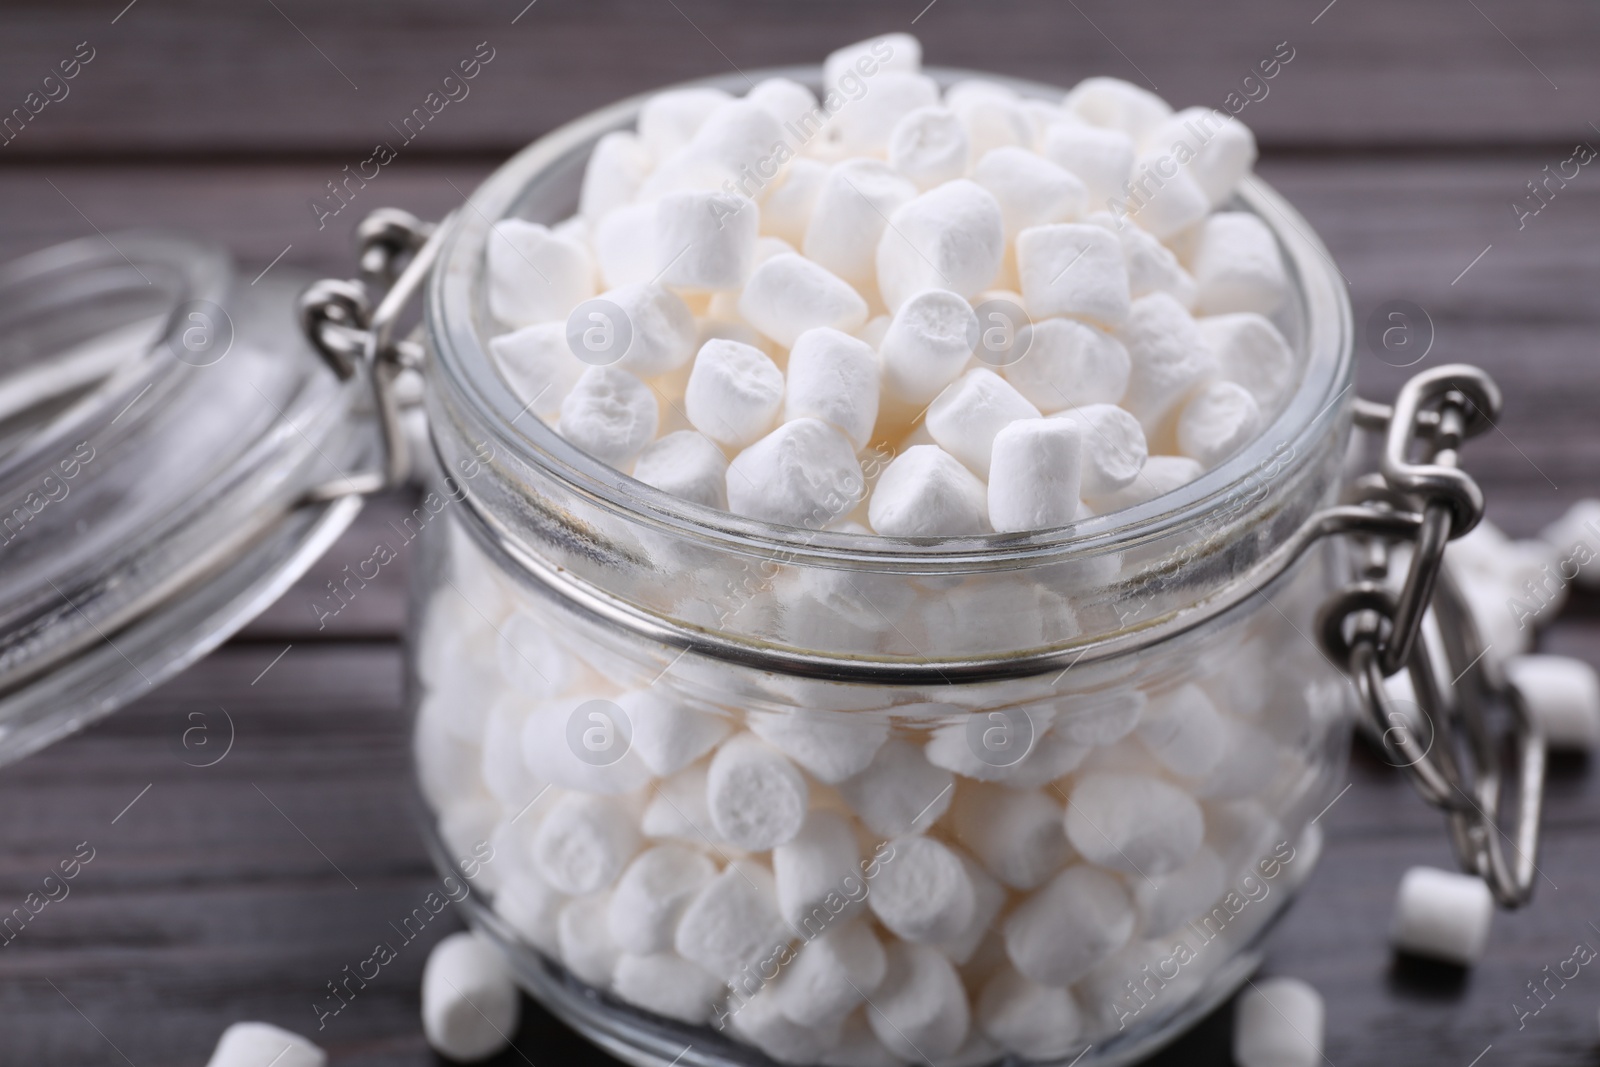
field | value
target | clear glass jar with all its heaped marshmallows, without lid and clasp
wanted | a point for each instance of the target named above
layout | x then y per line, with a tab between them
879	577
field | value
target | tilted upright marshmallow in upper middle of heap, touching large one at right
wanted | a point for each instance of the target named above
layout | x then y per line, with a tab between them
850	214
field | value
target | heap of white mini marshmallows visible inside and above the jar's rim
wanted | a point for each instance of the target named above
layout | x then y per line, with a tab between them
898	311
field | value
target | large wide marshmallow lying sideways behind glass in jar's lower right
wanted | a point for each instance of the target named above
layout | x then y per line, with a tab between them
1132	823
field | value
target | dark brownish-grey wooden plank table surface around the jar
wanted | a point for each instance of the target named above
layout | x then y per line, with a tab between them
236	892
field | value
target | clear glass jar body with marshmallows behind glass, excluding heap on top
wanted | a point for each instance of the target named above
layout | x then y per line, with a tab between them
1095	753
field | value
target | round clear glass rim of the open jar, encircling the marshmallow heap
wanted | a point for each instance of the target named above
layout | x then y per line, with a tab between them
454	311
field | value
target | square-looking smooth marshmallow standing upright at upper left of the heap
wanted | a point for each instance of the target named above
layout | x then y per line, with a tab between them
706	241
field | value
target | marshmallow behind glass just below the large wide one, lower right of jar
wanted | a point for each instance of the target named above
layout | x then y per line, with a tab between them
1071	924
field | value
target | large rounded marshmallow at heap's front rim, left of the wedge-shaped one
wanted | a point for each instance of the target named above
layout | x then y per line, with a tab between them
802	474
